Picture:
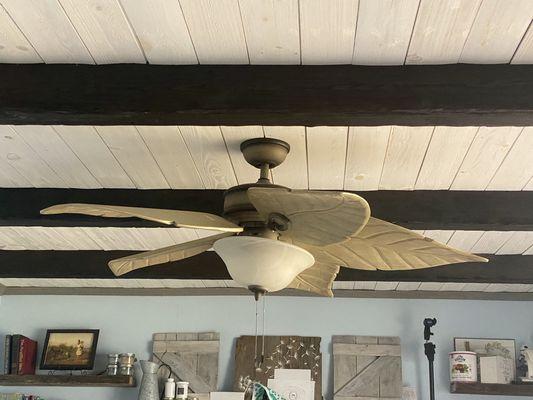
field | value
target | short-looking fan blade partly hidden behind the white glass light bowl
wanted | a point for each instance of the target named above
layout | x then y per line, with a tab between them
317	279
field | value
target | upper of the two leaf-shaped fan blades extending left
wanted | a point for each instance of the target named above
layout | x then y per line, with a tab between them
182	219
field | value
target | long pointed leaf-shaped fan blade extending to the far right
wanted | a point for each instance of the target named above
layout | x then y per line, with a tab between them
385	246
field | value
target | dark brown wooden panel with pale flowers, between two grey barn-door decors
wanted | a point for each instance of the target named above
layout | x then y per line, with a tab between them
281	352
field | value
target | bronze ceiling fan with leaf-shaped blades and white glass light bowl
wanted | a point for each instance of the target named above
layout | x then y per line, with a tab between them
273	237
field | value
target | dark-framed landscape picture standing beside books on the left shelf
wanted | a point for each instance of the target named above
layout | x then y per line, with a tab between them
69	349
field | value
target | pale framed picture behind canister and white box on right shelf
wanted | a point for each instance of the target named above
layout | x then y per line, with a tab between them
489	347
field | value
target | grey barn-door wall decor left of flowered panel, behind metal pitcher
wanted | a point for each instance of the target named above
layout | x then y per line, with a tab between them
193	358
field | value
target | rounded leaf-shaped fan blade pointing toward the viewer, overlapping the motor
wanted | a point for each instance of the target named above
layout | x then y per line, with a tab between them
317	218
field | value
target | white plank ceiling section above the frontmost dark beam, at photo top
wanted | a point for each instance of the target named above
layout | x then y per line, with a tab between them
375	32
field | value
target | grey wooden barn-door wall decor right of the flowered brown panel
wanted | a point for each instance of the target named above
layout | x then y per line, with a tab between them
367	367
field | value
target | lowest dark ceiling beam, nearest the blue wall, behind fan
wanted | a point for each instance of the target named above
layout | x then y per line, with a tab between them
85	264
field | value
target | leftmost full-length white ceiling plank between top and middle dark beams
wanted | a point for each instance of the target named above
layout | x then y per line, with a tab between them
54	151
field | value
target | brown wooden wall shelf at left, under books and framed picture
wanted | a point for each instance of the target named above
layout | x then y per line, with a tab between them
67	380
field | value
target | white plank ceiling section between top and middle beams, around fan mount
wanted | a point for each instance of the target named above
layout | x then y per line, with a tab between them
335	158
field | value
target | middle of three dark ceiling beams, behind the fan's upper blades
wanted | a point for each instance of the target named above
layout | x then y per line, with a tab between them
448	210
